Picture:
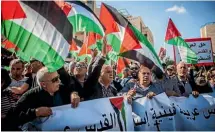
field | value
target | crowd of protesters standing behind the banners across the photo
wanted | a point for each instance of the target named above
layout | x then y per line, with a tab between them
29	90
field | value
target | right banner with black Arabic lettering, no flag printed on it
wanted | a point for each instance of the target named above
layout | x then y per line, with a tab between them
175	113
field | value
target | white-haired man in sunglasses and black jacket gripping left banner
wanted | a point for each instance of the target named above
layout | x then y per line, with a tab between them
37	102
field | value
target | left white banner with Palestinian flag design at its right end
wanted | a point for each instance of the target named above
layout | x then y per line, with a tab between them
96	115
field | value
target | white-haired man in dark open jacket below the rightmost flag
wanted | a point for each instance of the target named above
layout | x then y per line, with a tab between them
185	83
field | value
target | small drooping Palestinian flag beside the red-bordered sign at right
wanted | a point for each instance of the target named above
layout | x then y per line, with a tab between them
174	38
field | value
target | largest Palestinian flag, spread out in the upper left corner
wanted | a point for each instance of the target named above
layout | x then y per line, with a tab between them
40	29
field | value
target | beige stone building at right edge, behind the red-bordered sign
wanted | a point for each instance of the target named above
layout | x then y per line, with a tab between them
208	31
